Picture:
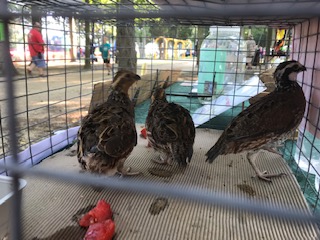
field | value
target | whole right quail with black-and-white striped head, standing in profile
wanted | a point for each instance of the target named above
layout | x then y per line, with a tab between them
270	119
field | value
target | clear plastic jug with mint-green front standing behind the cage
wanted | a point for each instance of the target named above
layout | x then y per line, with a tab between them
222	61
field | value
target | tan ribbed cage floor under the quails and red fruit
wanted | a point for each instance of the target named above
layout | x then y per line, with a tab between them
51	208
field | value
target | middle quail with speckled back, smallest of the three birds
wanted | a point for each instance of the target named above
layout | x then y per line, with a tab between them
170	129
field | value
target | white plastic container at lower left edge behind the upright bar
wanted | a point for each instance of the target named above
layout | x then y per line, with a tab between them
6	194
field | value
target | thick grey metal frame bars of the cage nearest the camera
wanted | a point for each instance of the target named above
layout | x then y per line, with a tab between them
186	12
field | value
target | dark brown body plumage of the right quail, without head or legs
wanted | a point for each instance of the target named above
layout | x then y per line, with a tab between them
257	124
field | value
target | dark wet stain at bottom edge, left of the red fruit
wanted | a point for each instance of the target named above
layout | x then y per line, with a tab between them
69	232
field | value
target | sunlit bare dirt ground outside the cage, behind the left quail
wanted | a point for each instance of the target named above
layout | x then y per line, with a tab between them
44	105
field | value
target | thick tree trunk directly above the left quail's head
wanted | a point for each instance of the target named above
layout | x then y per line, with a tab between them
126	53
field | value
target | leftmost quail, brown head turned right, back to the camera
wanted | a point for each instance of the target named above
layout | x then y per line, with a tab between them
107	135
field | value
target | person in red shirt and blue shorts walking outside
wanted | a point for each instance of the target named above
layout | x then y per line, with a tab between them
36	48
